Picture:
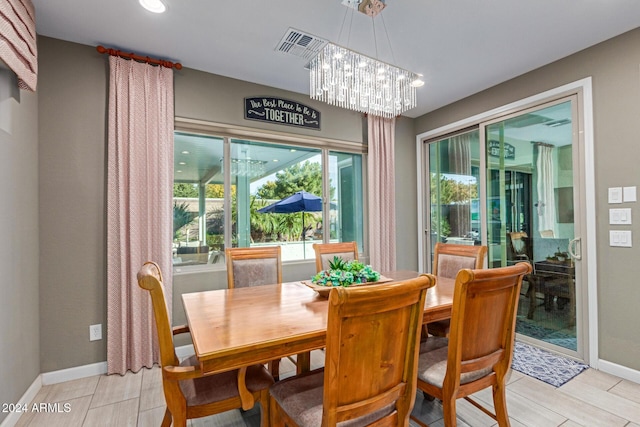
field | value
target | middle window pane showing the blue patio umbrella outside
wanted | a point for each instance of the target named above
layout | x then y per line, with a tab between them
263	175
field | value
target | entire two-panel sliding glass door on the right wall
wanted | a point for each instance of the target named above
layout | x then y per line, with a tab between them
511	184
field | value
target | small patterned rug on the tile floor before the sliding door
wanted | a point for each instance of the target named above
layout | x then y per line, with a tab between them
544	365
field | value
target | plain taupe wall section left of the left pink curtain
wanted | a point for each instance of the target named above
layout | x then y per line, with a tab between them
72	92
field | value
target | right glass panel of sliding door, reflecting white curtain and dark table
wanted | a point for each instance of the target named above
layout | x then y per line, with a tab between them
529	202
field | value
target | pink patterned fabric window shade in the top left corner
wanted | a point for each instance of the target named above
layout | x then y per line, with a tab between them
18	48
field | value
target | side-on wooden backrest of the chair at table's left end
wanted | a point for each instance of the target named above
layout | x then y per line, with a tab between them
150	278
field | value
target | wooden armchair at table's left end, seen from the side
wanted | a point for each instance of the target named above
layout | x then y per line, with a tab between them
189	392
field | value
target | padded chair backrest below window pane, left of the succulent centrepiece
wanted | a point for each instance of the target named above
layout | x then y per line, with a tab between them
255	266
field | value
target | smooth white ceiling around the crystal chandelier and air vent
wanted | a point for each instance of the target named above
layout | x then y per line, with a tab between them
460	46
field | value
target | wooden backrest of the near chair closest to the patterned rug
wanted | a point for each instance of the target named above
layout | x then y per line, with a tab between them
483	320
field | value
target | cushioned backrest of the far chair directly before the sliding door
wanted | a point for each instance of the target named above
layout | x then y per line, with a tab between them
449	258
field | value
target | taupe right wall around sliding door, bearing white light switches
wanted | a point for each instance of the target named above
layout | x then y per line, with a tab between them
614	67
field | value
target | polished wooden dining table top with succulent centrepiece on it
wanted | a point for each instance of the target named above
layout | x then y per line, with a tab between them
233	328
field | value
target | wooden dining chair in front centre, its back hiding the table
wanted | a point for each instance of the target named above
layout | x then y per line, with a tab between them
370	360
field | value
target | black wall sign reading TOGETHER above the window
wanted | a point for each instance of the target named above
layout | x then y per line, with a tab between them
281	111
